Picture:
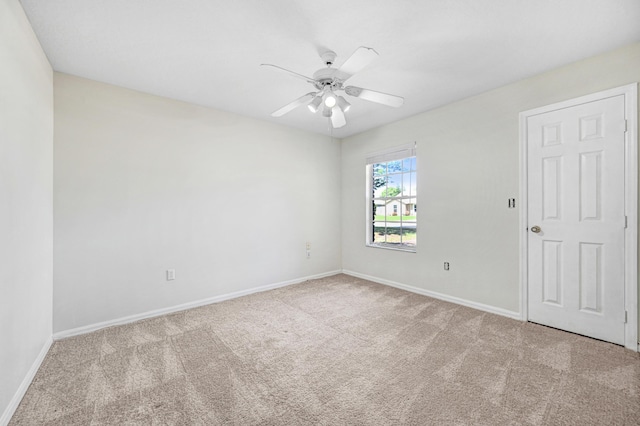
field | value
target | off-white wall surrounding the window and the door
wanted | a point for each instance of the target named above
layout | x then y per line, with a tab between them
468	166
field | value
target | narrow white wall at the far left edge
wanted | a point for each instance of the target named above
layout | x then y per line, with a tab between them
26	228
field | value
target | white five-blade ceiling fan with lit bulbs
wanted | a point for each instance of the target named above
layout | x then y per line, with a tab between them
330	81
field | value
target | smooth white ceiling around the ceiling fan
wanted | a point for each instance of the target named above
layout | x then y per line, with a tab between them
432	52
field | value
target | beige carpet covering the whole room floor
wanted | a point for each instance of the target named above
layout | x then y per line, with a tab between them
334	351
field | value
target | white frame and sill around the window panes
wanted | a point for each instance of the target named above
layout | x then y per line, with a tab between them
396	153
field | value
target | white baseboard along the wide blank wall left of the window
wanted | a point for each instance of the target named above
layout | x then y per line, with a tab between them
171	309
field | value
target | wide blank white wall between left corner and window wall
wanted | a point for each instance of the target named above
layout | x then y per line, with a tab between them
144	183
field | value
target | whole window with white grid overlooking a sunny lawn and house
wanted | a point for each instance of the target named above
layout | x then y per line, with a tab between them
392	199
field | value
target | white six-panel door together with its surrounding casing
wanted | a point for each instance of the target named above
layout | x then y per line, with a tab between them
579	271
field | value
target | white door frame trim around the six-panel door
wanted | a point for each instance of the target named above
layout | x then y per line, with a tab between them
630	93
